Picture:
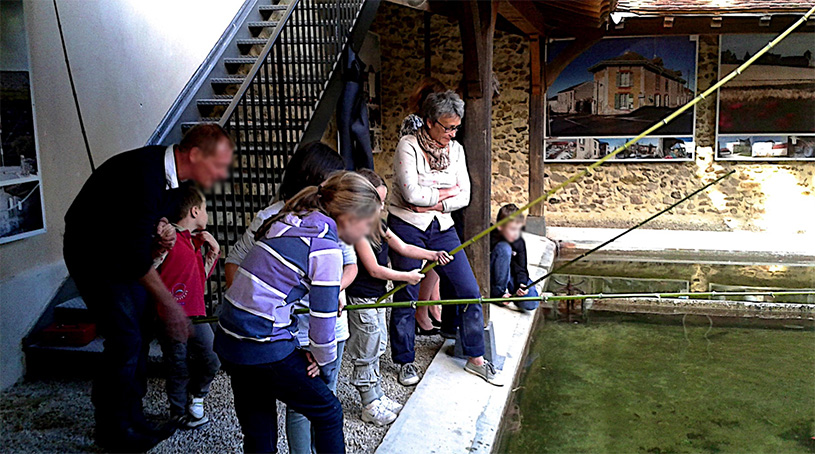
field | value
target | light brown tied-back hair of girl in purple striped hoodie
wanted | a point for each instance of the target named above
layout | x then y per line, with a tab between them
342	193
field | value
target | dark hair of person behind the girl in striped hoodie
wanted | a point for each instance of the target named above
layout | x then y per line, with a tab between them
311	165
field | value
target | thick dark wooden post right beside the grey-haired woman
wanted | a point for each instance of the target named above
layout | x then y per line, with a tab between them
477	25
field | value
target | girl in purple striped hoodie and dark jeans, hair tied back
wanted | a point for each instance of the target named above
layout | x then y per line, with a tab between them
296	253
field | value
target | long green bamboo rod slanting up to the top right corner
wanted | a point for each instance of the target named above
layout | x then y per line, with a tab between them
736	72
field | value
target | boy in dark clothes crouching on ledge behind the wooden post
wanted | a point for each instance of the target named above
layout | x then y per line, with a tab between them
509	275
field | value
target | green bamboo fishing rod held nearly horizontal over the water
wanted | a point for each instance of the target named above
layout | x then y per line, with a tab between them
544	298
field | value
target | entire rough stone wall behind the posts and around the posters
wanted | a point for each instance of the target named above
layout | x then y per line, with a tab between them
759	197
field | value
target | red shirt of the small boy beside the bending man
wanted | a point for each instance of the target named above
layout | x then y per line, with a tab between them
184	274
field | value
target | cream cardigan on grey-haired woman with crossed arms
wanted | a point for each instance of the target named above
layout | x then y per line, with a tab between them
418	185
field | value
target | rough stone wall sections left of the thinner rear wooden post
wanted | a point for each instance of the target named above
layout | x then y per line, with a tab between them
401	34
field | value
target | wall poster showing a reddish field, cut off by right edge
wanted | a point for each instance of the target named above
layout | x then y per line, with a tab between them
768	111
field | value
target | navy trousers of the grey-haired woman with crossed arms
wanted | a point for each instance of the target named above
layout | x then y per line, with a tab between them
456	281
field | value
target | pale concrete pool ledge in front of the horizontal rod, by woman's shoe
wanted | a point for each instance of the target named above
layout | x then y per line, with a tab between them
452	411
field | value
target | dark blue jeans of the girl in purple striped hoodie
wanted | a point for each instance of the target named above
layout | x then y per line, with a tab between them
257	388
